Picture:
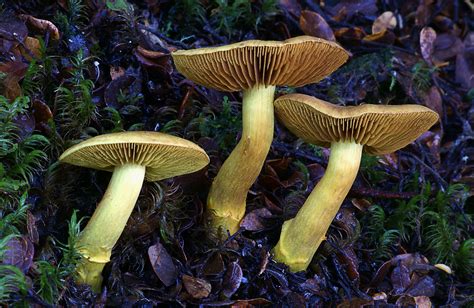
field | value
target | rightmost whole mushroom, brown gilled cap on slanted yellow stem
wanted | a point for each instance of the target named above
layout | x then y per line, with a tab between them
374	129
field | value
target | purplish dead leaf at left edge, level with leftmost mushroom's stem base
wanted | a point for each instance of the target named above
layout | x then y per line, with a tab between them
19	252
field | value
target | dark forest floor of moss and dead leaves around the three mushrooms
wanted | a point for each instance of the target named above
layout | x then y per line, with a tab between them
72	69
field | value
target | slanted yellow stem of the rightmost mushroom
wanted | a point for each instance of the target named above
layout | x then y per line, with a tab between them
301	236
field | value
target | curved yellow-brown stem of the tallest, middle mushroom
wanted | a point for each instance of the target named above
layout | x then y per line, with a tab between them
227	198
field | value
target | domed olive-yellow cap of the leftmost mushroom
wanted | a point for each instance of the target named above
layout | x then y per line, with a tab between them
164	156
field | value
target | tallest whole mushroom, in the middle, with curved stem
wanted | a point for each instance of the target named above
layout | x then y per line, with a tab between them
255	67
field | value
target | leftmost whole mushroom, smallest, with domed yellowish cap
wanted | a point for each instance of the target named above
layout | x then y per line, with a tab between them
132	157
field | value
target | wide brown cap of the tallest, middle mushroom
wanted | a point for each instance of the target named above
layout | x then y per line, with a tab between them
294	62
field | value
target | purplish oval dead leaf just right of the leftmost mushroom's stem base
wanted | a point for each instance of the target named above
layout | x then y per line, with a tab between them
162	264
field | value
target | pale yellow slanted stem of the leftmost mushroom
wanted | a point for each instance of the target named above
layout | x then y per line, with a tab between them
107	223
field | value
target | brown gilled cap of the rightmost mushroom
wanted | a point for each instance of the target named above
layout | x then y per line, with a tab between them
381	129
